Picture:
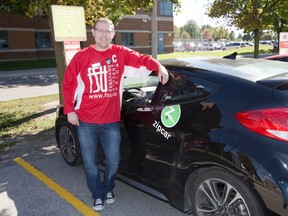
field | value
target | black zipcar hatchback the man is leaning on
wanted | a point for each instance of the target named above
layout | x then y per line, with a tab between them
212	141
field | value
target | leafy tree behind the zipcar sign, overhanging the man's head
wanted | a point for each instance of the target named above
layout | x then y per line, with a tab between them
94	9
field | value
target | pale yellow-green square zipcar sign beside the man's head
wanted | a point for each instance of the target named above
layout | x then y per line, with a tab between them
68	23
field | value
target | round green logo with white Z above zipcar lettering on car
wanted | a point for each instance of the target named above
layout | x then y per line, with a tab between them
170	115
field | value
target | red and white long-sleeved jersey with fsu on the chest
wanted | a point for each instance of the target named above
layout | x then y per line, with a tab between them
95	80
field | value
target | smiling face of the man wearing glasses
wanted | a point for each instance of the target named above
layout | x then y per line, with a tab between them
103	35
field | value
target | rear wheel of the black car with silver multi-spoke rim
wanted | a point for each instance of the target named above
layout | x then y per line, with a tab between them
209	189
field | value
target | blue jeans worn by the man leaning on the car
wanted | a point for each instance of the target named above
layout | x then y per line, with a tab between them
89	135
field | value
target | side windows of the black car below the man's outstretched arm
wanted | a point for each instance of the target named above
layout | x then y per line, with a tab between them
181	88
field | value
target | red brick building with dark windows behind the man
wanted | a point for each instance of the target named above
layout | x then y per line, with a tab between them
30	38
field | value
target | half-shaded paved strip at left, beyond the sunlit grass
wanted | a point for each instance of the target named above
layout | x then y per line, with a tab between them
28	83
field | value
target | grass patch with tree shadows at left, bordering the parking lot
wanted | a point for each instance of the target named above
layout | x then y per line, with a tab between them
25	116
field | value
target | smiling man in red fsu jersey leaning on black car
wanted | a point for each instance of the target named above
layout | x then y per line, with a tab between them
94	80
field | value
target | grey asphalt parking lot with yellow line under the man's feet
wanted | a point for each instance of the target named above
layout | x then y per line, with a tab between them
44	184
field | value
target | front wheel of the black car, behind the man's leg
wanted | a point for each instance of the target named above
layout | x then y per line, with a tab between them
68	143
